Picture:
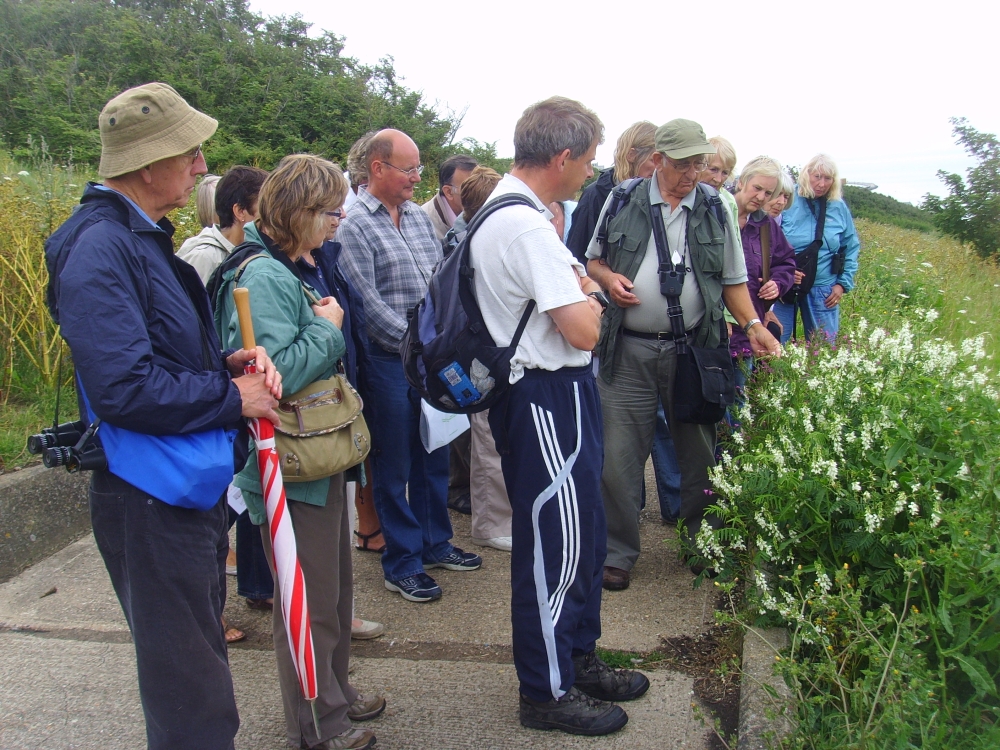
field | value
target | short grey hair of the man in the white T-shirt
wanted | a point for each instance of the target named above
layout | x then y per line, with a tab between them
548	128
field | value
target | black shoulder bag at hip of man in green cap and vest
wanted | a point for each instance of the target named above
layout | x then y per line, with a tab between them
705	384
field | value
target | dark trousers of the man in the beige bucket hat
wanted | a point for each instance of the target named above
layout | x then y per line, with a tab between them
168	568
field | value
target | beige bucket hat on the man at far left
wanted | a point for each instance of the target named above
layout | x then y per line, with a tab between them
146	124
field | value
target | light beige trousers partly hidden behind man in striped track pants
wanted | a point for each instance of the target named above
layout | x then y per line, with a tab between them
490	504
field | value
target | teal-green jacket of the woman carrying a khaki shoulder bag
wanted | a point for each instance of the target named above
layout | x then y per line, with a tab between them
303	346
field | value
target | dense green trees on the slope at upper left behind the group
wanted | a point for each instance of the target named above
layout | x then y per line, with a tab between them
274	89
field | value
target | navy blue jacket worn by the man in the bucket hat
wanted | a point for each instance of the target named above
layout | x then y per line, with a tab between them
138	322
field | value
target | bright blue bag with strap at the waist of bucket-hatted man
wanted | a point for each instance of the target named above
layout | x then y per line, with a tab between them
188	471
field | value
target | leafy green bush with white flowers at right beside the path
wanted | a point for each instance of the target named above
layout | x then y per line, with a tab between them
861	499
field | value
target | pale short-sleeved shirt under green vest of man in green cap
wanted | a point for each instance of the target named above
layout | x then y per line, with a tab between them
650	315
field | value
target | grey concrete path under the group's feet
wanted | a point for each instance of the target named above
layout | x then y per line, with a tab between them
67	667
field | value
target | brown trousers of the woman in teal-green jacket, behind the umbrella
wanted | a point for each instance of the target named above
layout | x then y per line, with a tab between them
323	537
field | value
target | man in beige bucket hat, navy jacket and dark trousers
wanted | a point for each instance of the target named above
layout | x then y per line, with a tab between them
150	366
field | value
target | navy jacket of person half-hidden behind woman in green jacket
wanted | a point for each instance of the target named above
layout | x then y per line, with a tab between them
328	278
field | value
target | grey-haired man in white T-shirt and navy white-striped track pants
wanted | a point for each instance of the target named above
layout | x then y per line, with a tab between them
548	429
